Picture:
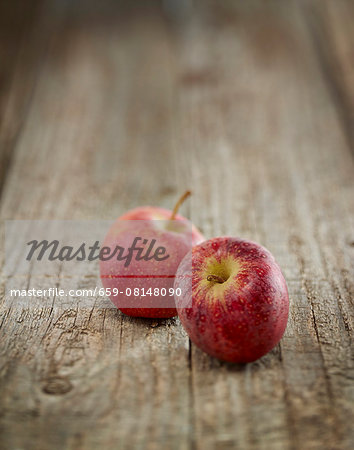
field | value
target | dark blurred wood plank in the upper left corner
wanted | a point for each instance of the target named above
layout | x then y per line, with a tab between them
25	31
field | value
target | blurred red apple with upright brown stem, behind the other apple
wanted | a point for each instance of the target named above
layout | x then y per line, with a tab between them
138	283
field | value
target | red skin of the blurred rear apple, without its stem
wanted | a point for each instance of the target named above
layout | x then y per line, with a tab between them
177	244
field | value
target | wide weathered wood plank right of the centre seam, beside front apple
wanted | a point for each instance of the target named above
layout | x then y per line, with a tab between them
275	175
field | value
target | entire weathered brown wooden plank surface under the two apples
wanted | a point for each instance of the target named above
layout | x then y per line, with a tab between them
248	104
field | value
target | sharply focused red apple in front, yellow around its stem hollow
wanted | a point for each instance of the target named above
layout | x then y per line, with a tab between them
244	317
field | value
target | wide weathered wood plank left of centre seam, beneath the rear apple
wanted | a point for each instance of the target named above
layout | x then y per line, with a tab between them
133	373
